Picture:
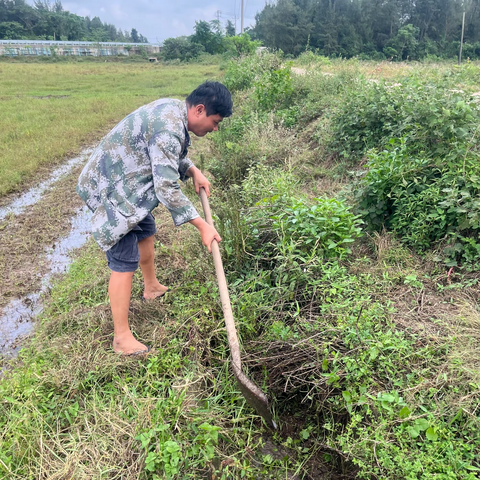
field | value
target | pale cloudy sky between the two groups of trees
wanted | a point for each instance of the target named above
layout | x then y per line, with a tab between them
161	19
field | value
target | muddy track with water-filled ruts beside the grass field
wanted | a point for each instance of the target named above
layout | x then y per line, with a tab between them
37	231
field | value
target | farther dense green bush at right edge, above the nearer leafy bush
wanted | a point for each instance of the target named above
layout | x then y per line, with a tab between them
431	118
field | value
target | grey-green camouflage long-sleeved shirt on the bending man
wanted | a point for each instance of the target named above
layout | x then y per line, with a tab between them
136	166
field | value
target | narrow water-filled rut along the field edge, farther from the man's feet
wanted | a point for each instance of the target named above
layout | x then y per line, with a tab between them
33	195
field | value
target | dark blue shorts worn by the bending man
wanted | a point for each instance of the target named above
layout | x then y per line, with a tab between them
124	255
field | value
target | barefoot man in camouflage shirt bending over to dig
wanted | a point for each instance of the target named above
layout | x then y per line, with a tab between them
136	167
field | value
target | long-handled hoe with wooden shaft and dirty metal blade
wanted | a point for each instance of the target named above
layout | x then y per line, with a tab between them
254	396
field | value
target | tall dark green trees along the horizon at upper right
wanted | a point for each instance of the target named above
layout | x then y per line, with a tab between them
376	29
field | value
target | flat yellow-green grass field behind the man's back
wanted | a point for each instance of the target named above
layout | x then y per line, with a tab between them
50	111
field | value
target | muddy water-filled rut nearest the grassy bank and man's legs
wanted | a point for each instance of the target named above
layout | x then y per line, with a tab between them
18	317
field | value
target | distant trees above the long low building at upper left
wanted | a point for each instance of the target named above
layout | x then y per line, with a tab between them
46	21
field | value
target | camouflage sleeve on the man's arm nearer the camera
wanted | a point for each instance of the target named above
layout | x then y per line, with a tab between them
164	149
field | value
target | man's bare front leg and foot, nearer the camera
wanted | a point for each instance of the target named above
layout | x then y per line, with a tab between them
119	291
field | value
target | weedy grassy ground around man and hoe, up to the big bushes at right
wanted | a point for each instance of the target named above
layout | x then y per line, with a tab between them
371	360
